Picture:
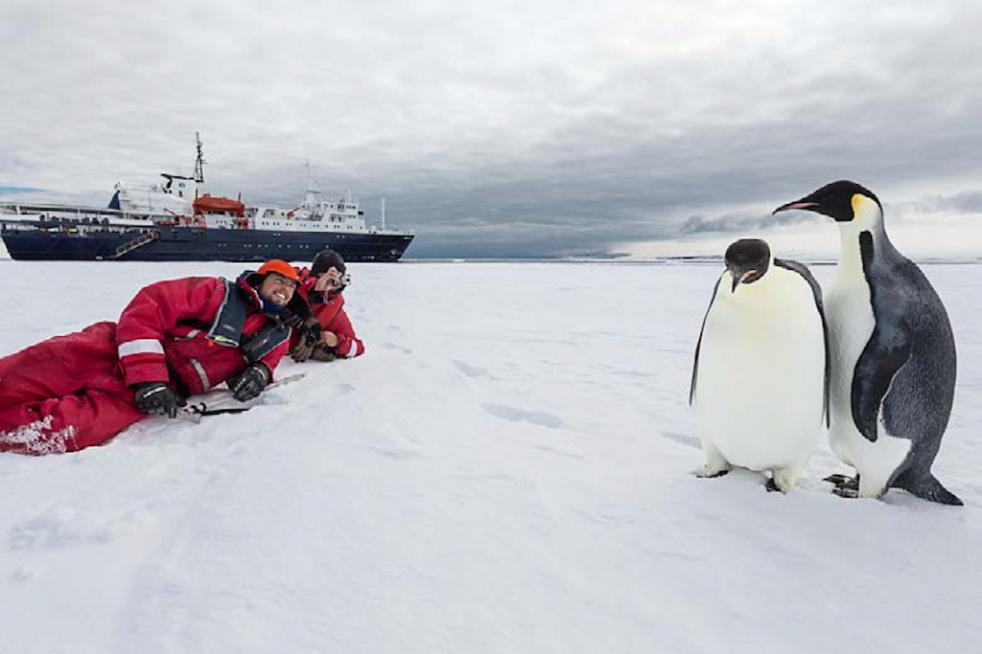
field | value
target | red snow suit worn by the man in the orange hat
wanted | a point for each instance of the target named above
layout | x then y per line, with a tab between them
71	392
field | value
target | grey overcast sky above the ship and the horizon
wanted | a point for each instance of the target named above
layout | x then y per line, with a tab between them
513	129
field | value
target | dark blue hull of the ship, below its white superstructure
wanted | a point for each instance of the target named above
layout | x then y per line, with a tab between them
46	242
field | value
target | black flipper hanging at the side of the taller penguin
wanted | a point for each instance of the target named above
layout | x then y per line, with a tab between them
884	355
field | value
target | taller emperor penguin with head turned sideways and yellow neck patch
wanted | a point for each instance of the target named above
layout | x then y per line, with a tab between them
892	354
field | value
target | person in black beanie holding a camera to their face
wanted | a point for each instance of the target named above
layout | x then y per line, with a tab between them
328	334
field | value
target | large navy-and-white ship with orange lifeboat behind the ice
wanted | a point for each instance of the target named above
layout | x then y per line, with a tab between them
175	221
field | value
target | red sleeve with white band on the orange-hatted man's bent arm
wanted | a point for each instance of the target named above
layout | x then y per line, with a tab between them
154	311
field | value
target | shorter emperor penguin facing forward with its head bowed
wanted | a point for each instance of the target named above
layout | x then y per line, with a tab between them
760	376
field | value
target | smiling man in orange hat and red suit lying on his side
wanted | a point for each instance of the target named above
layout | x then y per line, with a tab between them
175	339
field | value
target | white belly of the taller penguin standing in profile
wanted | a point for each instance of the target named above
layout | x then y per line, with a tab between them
851	321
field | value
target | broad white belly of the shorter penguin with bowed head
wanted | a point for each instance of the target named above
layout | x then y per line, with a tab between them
761	374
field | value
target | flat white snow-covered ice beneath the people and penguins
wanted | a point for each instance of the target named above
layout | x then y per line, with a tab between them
509	468
